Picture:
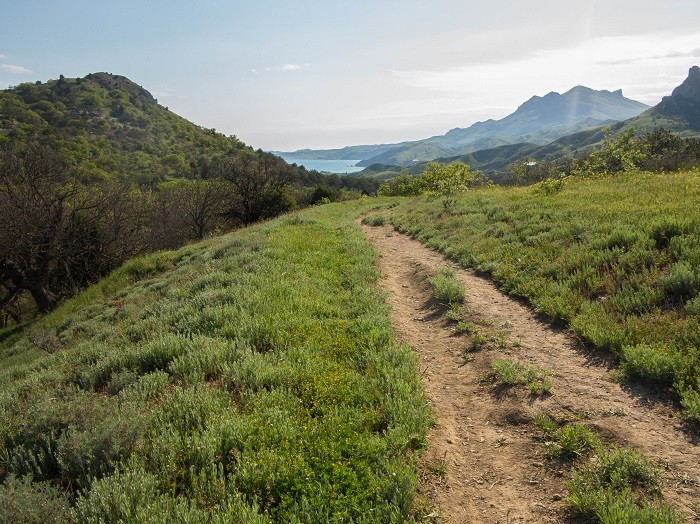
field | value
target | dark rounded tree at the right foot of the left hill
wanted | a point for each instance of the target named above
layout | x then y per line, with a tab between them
260	183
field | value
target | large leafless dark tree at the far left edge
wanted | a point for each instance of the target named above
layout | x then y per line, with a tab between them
55	235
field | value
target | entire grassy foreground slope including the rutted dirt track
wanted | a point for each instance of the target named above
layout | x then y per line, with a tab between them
255	377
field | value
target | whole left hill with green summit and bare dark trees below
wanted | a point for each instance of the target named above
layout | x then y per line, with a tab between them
93	171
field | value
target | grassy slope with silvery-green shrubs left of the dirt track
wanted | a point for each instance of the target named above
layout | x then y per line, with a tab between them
250	378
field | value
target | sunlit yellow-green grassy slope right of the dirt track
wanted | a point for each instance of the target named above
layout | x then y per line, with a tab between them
617	259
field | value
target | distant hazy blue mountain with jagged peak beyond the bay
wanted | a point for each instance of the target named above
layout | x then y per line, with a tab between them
539	121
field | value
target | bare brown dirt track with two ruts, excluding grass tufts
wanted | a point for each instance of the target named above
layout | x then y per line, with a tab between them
486	465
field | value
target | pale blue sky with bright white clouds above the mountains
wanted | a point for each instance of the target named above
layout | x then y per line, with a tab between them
284	75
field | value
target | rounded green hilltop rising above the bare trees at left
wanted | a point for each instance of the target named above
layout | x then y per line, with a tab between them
110	126
